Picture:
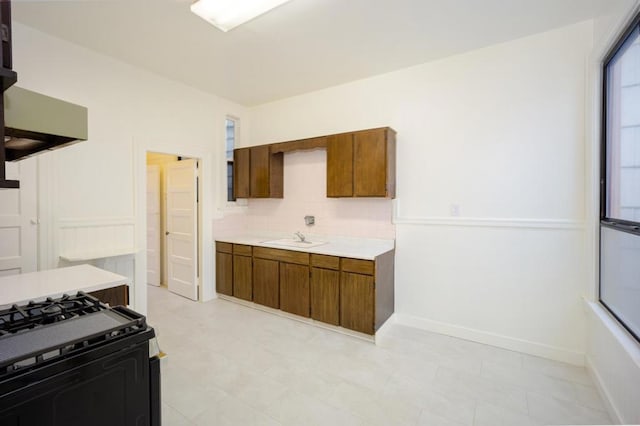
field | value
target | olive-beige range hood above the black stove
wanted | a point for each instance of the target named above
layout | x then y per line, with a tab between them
35	123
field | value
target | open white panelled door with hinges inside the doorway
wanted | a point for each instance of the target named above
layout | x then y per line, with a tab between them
182	227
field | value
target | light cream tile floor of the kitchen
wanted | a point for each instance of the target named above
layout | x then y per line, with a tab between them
232	365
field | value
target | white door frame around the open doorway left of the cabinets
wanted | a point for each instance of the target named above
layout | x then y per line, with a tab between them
208	193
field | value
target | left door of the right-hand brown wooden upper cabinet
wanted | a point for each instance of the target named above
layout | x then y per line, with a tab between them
340	165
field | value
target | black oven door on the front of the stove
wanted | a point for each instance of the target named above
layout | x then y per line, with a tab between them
112	389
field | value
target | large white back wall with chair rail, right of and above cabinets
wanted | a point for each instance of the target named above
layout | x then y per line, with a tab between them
500	133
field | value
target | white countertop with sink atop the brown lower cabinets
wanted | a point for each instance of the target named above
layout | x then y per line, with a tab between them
357	248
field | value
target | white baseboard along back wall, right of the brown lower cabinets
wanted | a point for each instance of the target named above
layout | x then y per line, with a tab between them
505	342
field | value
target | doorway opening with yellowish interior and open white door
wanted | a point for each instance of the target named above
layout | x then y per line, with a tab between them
173	223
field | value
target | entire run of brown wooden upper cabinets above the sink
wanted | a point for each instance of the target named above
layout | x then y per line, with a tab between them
359	164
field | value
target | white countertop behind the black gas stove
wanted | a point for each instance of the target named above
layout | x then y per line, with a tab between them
21	288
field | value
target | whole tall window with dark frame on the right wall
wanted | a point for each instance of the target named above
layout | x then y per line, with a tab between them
620	189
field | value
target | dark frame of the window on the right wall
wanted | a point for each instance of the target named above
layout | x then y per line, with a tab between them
621	225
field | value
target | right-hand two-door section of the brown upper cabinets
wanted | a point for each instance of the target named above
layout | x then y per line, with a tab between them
362	164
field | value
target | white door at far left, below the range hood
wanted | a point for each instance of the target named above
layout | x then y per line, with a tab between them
19	220
